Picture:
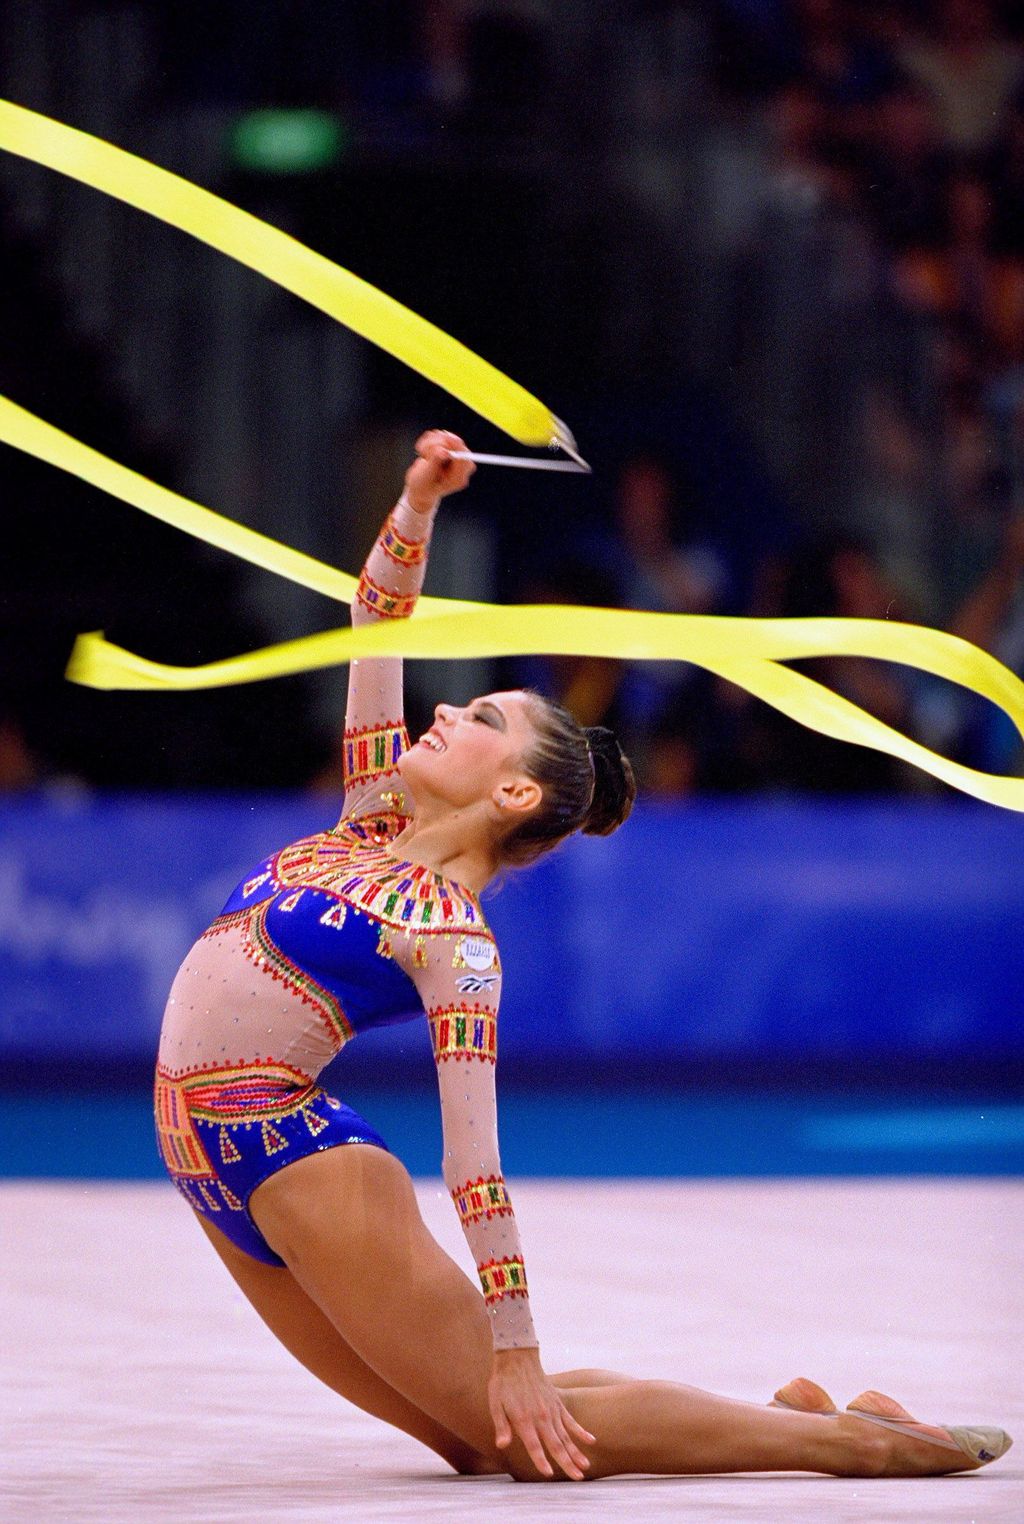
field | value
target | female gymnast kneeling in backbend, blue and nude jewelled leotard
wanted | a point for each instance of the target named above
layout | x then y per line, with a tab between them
376	921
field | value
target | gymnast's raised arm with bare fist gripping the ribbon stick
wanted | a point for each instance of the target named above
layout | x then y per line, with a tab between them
389	586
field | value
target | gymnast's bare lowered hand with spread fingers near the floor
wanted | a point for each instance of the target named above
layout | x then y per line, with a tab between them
526	1406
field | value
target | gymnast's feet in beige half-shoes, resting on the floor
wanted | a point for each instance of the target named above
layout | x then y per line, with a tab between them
907	1447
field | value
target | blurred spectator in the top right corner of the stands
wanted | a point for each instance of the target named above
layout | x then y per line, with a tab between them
971	72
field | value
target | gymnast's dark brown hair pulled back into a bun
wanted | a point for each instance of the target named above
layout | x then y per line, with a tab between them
586	778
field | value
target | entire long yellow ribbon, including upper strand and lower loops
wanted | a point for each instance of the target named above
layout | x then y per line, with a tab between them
744	652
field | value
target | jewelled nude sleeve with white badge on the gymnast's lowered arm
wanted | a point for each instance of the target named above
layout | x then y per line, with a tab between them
459	988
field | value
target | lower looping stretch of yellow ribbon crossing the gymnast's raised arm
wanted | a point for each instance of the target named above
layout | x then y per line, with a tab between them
746	652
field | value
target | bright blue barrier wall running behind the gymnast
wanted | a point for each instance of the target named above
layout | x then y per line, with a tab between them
699	933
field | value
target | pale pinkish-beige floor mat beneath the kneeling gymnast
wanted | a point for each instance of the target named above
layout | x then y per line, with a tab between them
136	1385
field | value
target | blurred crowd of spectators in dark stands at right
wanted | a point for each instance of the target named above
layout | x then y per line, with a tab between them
906	120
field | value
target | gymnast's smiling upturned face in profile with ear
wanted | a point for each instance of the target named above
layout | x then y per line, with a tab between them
475	755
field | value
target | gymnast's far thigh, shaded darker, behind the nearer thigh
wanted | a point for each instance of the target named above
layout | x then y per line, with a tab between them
315	1342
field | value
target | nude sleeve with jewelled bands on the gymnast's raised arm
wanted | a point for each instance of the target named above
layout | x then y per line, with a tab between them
374	725
